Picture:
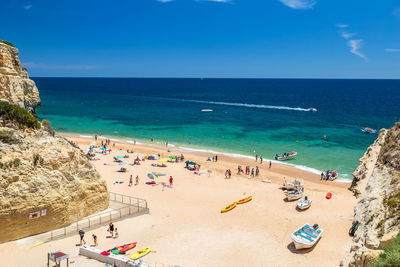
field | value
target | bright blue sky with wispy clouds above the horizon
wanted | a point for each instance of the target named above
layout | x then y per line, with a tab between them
189	38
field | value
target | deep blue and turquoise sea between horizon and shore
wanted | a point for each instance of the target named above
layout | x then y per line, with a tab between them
263	115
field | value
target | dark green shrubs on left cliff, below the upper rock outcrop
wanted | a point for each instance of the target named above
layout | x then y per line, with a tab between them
11	113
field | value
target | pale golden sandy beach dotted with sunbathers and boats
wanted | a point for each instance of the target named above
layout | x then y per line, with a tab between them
185	226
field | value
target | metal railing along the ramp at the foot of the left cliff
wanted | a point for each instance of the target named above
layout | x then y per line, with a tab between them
132	206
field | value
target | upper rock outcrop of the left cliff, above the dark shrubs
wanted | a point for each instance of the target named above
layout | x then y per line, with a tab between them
15	85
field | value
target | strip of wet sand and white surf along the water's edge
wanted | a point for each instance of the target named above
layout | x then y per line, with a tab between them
279	168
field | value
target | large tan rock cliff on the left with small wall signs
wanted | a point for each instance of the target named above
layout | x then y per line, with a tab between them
45	181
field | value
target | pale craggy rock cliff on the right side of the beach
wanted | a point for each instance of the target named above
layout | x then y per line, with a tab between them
377	185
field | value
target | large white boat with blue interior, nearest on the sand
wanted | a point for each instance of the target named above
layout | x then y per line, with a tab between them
306	236
